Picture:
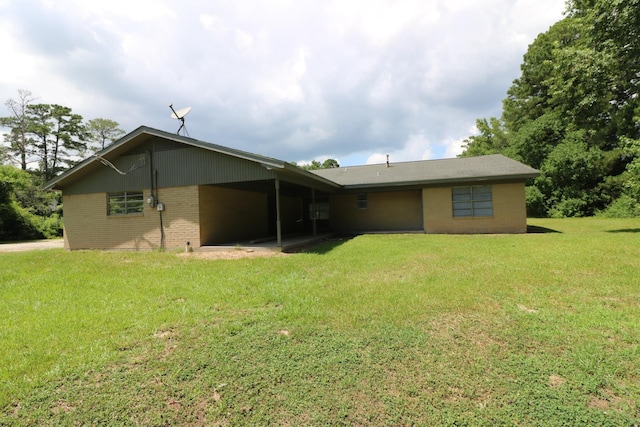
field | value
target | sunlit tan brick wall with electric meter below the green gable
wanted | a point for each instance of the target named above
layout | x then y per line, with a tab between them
87	225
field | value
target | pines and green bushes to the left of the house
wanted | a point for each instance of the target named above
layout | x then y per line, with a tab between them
42	141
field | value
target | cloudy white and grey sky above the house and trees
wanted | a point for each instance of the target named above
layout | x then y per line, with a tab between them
296	80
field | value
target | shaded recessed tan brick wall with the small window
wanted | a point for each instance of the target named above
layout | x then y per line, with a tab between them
386	211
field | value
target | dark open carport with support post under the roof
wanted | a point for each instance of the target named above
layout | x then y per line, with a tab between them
282	210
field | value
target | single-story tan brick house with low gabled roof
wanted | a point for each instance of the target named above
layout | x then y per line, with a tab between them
152	189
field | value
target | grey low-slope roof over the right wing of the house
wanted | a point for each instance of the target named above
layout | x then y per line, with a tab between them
464	169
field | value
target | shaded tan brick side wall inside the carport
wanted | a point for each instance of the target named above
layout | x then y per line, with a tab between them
229	216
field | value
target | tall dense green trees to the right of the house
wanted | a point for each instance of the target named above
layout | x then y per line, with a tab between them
574	113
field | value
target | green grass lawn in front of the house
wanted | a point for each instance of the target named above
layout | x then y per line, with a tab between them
536	329
